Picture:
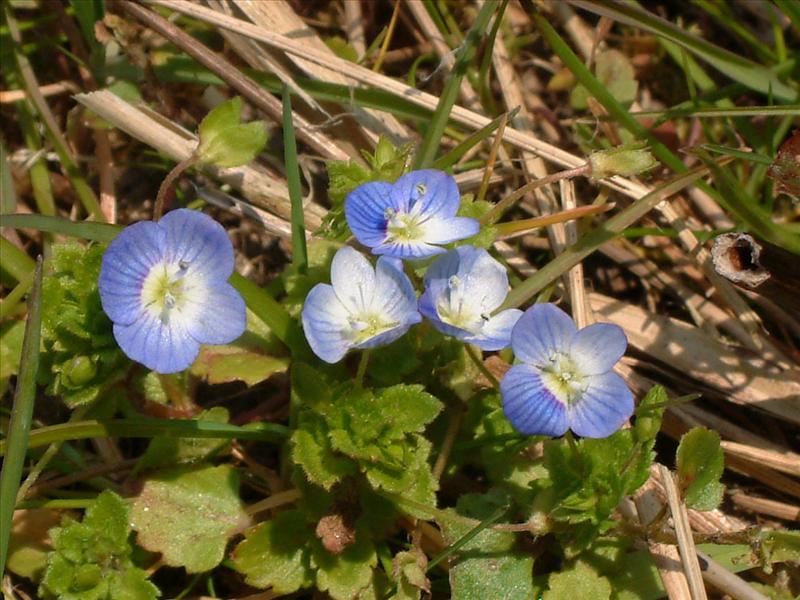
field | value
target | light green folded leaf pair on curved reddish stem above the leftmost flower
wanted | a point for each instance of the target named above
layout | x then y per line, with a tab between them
224	141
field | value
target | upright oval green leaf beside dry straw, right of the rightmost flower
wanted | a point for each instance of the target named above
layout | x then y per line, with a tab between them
700	463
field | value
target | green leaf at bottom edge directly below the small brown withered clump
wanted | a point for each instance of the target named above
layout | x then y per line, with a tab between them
346	574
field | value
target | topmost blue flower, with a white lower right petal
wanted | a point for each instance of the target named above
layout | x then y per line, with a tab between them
410	218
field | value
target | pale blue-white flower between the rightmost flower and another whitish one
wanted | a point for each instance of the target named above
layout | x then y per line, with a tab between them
462	290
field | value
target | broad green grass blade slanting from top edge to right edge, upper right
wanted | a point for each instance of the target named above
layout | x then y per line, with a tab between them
738	68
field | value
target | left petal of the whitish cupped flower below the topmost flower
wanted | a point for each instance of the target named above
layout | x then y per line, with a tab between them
326	324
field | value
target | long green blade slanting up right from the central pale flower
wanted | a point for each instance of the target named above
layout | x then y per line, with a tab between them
592	240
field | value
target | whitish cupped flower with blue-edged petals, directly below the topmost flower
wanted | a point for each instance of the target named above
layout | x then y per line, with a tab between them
364	307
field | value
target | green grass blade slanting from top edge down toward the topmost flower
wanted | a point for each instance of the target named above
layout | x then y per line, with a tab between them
465	54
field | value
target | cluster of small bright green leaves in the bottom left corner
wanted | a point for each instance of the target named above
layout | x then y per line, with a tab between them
91	560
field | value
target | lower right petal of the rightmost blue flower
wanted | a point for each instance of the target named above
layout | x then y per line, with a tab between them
603	408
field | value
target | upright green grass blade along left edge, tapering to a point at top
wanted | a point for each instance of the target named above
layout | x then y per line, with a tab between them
21	414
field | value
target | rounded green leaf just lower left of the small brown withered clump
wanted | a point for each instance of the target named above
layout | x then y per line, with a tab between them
276	554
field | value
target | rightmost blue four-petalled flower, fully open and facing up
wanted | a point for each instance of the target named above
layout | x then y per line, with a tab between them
565	379
